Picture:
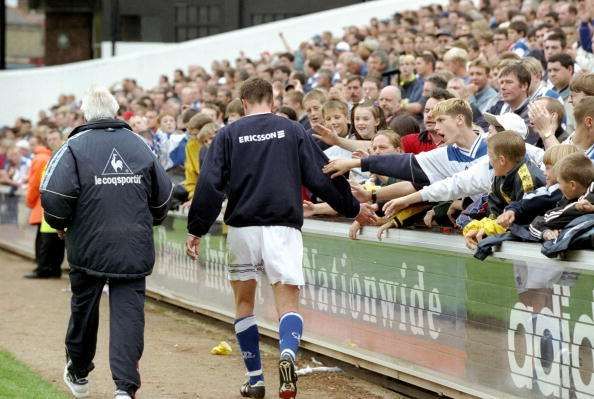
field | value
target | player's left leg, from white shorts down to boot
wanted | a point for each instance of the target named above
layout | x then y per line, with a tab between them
244	258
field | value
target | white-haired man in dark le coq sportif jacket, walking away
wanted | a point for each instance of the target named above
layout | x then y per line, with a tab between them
106	189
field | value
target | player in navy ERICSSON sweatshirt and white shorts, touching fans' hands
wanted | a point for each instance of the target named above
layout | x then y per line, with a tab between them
260	163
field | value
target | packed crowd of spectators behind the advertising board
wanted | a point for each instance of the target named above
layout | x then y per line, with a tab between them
441	115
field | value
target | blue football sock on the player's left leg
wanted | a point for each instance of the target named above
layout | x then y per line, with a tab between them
246	331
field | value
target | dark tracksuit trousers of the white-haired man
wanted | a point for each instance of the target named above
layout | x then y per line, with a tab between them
126	327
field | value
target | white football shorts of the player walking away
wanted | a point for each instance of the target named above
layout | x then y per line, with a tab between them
276	250
